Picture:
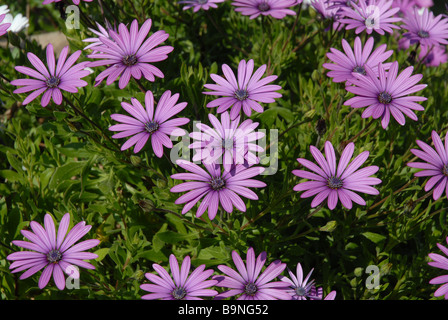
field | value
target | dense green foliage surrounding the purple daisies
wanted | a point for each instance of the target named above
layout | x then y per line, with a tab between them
53	160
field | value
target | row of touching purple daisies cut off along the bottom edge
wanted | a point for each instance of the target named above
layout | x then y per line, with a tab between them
247	282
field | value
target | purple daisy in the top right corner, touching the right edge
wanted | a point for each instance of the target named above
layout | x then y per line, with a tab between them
425	28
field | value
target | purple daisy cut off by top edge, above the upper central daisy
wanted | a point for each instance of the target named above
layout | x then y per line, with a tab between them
275	8
